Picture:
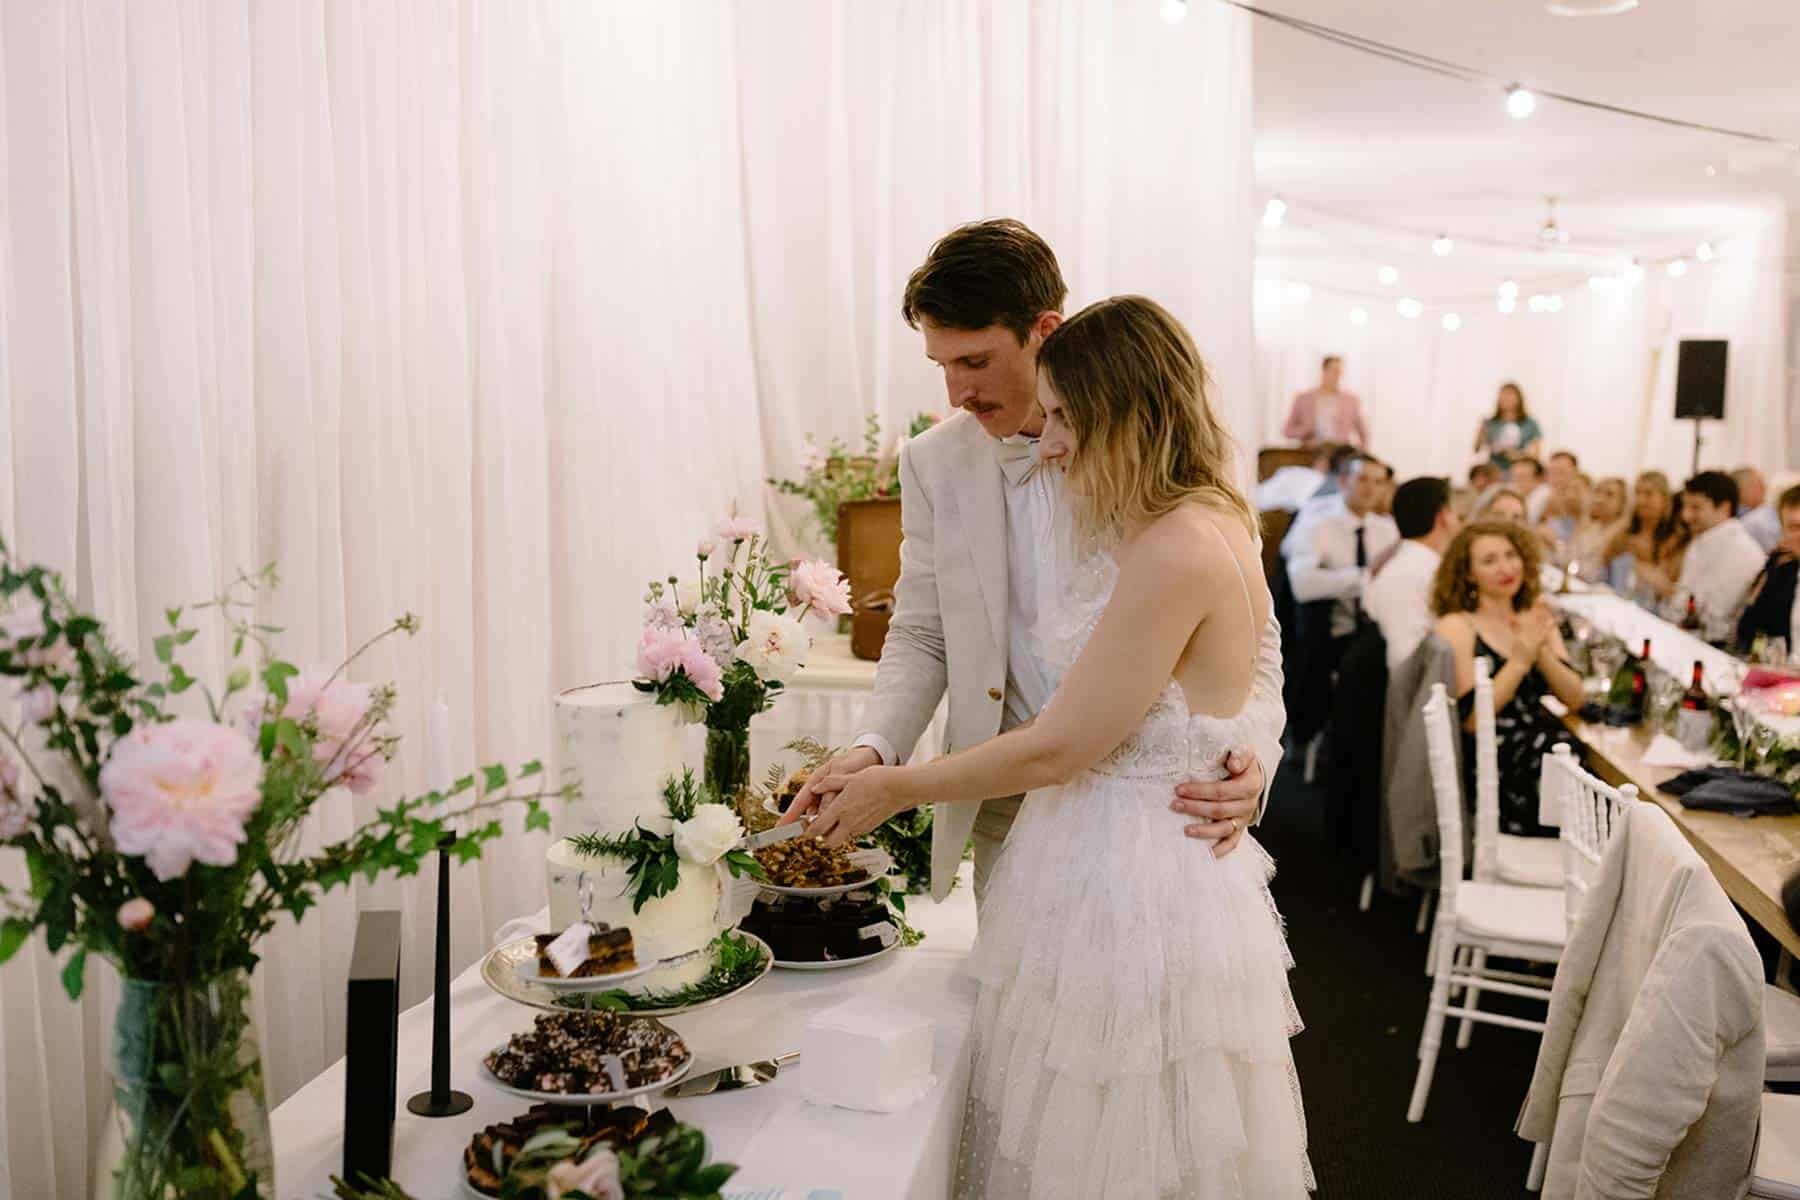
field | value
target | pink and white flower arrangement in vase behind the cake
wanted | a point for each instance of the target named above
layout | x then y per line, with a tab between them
728	640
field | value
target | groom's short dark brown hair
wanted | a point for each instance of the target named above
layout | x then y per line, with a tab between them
985	274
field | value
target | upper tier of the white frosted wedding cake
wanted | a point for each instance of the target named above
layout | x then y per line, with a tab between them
624	748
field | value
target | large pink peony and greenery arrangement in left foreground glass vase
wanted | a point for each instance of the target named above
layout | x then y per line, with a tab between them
159	821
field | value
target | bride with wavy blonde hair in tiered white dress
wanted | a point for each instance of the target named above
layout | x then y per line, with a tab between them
1131	1035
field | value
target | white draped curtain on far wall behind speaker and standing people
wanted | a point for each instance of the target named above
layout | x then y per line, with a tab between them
1599	377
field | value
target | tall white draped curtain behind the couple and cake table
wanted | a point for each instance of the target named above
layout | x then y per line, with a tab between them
485	310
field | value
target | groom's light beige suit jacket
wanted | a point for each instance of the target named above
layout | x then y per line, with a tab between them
949	623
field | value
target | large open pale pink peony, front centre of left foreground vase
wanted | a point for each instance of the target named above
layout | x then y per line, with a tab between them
183	793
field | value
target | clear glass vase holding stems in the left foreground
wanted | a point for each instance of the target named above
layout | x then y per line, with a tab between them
188	1109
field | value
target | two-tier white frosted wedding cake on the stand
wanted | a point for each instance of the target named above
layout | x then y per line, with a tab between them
625	749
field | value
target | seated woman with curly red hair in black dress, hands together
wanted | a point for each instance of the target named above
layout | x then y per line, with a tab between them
1488	600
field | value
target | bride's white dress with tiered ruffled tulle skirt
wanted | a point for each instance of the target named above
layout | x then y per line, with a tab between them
1135	1017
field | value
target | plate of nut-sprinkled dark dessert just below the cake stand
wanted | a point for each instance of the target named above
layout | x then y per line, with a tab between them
588	1059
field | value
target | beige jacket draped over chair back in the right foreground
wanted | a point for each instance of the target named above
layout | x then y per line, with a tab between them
1650	1077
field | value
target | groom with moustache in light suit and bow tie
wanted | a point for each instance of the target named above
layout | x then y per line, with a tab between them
975	519
